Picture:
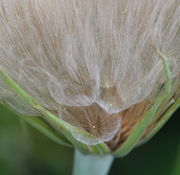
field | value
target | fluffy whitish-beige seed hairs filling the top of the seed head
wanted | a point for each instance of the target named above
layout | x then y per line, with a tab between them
77	53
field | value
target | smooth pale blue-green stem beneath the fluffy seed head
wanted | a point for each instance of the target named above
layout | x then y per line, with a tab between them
91	164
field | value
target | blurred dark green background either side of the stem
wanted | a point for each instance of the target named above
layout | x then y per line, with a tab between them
25	151
